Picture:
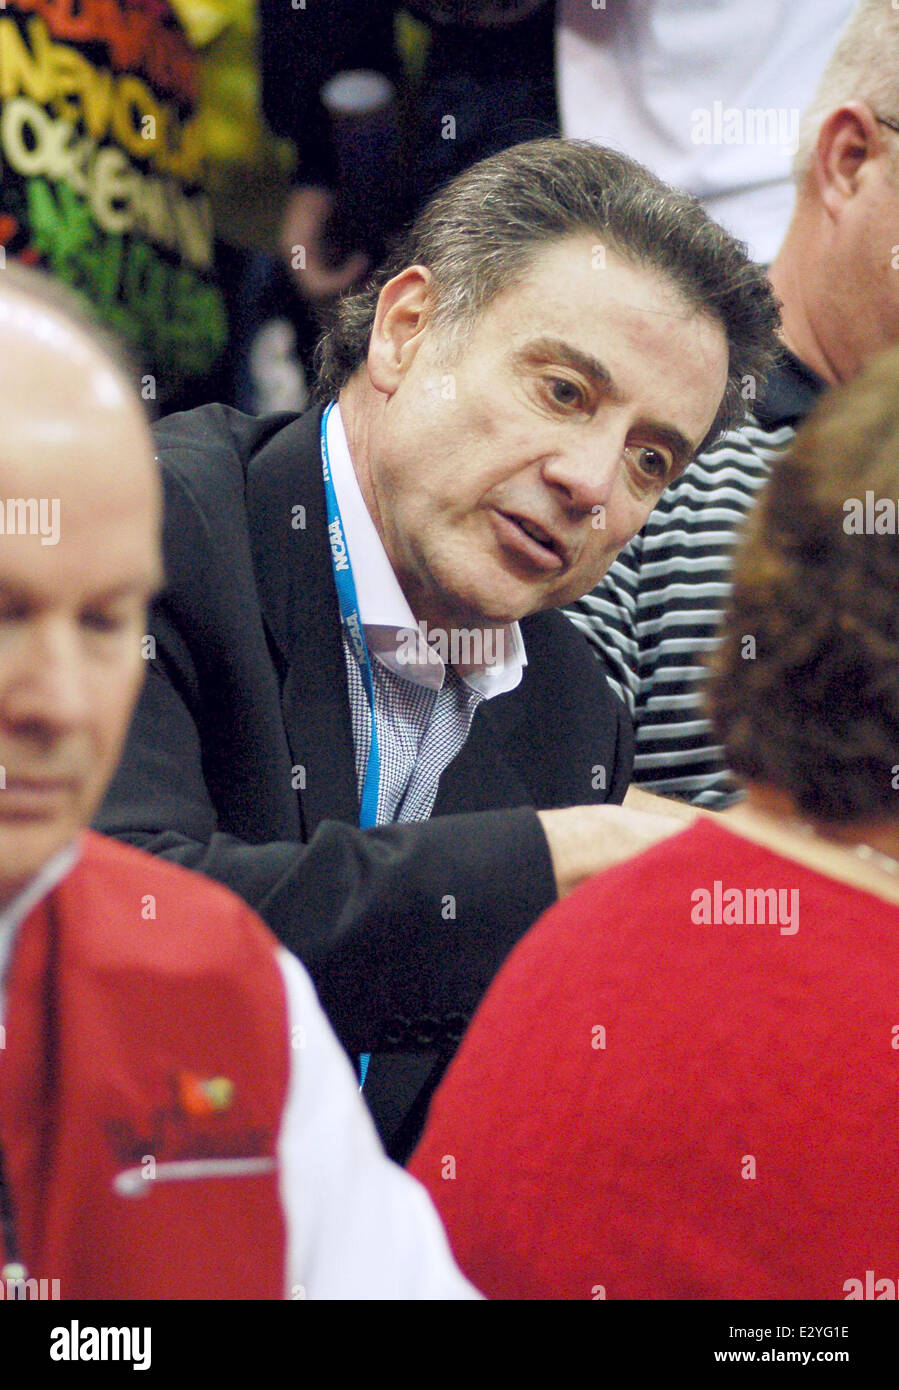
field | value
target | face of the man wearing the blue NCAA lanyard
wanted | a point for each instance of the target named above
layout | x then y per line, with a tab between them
506	479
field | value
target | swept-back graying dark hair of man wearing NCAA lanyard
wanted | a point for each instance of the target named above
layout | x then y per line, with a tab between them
481	233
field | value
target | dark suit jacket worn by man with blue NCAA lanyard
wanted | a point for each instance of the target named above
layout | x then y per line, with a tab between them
240	761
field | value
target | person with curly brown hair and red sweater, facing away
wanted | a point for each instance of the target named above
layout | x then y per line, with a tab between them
680	1085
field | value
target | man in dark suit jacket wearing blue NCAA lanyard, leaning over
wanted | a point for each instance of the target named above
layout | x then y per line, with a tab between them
512	398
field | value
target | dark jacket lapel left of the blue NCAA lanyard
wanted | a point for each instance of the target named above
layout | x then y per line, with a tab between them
292	562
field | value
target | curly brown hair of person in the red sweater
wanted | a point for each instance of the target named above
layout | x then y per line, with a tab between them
814	711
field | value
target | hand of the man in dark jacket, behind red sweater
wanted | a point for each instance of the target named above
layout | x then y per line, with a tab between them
584	840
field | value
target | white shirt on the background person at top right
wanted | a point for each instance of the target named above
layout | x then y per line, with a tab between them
708	94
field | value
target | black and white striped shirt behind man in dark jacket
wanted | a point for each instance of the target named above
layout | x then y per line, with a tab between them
658	611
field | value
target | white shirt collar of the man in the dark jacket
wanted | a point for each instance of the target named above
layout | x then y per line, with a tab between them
490	664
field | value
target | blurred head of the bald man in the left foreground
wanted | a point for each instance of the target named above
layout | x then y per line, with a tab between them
80	559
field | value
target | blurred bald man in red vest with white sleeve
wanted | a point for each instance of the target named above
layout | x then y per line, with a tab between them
177	1120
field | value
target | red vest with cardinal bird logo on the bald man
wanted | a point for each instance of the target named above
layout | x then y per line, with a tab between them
138	1039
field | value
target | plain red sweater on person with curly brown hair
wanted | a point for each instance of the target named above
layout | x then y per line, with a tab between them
661	1100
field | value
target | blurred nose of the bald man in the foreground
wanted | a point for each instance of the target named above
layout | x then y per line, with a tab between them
42	676
